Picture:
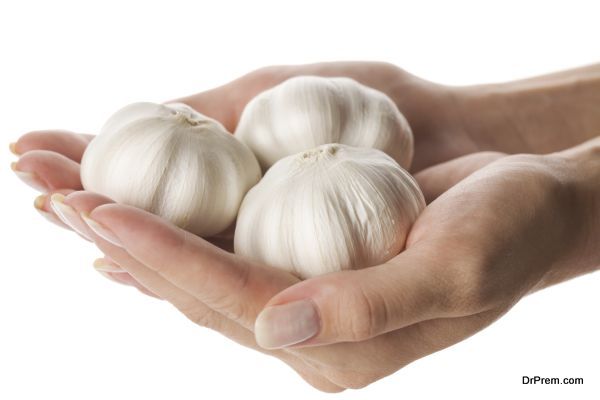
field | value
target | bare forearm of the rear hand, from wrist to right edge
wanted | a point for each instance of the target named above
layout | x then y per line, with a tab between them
537	115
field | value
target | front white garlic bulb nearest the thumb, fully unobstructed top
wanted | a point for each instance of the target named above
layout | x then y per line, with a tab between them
332	208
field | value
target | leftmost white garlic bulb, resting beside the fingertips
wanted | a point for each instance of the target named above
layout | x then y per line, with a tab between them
174	162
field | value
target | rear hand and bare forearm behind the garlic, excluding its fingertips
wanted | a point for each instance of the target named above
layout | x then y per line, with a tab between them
537	115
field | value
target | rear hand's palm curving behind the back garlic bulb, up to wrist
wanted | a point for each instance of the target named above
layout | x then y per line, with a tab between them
431	109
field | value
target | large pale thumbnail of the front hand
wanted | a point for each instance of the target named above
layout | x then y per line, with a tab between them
288	324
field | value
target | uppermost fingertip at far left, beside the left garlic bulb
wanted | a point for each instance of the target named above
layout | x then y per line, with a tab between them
69	144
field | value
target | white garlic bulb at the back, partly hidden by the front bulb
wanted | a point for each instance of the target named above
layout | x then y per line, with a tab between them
307	111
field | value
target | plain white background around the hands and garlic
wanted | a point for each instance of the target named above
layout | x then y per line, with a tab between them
68	333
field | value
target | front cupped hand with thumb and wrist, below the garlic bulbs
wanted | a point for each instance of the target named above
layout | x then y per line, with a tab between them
517	225
